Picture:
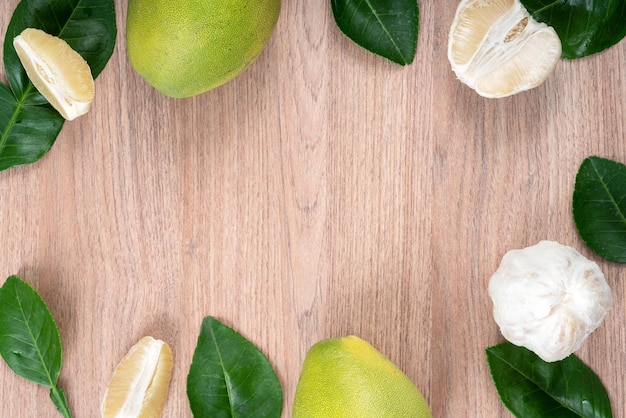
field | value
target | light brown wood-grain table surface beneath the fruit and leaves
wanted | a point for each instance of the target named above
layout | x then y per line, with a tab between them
322	193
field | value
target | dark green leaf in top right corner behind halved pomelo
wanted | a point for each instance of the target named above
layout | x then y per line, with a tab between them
584	27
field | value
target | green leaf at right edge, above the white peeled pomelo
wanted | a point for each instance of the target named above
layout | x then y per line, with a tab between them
599	207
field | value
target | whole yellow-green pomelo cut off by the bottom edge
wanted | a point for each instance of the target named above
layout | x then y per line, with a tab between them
348	378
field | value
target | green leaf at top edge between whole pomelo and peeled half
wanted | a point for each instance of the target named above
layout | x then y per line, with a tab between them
385	27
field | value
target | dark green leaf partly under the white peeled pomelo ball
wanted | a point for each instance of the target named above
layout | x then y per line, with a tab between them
532	388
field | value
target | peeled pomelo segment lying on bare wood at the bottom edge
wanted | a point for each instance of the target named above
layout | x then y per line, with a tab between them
140	382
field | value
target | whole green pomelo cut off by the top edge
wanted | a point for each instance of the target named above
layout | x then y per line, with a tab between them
187	47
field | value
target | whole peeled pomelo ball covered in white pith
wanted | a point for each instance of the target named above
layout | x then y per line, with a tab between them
549	298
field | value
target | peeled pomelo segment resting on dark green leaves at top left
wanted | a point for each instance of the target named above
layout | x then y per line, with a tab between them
58	72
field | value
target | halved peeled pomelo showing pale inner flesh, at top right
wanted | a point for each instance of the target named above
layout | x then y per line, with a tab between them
498	49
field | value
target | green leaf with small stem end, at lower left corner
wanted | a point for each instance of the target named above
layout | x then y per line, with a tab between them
29	338
